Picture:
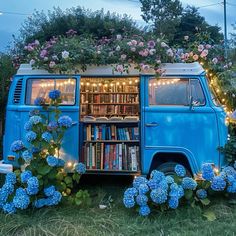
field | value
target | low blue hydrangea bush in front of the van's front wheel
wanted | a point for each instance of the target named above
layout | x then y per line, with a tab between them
168	192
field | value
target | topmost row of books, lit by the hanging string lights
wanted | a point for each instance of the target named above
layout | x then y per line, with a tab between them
122	87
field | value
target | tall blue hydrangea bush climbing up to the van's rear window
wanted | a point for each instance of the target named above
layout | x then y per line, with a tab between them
42	180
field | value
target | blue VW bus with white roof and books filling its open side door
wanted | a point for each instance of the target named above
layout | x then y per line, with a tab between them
126	123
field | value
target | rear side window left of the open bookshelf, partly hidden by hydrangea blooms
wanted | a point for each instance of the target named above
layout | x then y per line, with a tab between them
41	87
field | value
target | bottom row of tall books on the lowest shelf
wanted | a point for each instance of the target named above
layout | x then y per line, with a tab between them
102	156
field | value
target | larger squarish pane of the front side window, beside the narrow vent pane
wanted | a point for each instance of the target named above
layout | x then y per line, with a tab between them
169	92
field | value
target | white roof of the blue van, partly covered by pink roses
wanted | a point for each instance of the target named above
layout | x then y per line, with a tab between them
168	69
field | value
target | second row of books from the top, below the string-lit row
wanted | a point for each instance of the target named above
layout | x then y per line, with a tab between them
109	98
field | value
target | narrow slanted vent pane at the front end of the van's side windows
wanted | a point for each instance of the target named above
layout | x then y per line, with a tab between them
197	93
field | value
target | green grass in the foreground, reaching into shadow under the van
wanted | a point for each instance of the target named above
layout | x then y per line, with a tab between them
116	220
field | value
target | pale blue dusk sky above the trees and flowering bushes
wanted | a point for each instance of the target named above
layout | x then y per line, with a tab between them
10	22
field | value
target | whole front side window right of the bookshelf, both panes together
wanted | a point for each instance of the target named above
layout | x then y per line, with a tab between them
175	92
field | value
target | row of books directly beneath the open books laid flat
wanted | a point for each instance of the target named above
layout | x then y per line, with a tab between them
110	132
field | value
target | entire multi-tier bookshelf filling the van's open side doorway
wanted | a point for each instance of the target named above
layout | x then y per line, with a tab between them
109	113
